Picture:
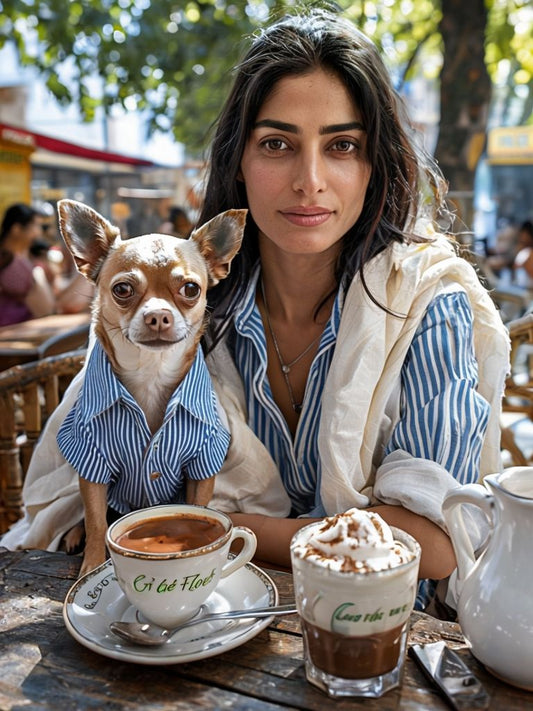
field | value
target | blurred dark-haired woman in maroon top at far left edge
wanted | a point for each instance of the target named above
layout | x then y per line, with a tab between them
24	289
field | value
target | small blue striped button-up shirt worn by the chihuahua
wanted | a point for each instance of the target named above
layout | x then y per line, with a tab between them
106	438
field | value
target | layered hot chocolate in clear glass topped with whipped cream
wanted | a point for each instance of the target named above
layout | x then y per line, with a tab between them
355	581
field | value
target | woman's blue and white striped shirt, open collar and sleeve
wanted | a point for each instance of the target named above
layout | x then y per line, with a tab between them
442	417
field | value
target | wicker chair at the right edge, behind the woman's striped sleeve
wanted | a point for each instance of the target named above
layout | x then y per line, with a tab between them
518	396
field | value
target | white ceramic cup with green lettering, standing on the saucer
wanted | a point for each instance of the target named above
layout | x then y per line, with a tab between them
169	587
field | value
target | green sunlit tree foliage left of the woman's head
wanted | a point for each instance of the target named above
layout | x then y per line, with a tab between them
168	57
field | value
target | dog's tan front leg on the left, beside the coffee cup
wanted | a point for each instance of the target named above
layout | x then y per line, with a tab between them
95	503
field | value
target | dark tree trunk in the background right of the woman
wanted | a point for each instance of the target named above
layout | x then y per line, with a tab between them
464	97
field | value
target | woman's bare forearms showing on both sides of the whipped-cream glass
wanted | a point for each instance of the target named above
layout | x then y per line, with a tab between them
274	537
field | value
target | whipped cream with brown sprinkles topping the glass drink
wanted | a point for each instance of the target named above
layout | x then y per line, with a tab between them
353	541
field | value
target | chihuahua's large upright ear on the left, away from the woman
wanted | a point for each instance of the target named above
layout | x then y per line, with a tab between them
87	234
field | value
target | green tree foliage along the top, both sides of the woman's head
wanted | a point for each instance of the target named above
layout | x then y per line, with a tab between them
174	57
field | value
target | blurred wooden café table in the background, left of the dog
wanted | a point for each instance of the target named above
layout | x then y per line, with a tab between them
39	337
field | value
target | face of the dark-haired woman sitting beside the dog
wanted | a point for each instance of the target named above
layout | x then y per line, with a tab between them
304	166
